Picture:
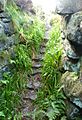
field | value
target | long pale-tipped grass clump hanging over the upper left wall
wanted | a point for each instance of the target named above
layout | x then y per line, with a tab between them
30	30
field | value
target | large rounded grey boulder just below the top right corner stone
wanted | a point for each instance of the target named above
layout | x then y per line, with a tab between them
74	31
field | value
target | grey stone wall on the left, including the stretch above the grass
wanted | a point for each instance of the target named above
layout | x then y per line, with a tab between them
8	40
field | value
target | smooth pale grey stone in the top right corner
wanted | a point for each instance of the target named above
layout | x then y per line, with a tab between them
68	6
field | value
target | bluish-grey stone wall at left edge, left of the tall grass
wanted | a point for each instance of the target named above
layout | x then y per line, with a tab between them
7	39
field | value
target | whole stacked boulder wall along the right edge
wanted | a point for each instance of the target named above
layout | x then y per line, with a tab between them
72	40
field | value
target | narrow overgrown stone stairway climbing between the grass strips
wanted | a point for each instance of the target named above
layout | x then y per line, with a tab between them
34	83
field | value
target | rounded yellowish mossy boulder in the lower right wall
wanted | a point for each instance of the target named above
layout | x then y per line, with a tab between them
72	84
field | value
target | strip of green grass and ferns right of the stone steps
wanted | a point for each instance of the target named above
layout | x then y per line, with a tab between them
50	99
